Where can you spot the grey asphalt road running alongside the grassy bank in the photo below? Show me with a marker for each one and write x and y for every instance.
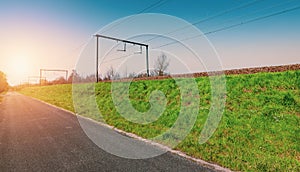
(37, 137)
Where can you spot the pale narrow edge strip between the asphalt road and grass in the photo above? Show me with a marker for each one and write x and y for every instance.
(134, 136)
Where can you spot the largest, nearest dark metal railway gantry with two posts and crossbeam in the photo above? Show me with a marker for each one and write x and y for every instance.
(124, 41)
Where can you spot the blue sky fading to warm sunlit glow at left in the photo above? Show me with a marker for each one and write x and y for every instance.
(40, 34)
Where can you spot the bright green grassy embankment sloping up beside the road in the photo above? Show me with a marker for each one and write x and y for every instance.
(259, 130)
